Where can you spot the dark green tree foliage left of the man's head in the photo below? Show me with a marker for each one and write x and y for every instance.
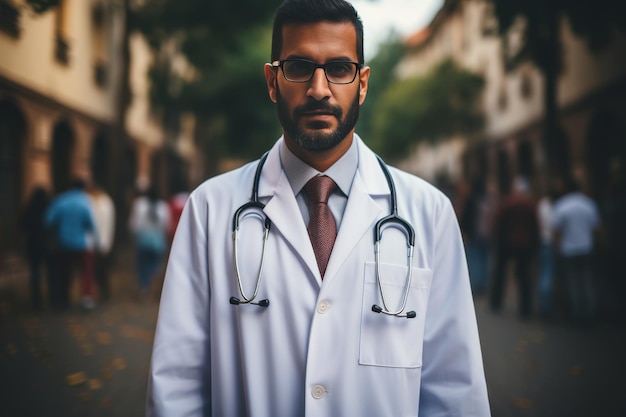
(226, 44)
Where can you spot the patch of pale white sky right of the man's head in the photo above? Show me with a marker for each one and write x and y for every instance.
(381, 16)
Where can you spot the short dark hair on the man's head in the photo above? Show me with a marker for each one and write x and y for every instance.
(314, 11)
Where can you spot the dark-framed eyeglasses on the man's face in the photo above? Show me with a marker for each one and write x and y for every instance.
(302, 70)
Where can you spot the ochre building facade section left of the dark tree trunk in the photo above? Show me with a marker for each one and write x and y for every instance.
(59, 85)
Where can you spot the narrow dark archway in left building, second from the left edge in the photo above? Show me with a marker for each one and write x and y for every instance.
(62, 150)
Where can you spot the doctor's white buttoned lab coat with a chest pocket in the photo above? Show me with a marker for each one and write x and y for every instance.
(318, 349)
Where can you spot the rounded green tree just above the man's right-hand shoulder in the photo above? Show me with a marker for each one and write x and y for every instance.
(438, 105)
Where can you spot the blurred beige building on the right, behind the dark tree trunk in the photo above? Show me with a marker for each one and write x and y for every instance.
(591, 101)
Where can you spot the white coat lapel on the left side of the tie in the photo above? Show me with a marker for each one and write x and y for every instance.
(282, 209)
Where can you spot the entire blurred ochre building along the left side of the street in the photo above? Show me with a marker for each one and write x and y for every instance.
(74, 102)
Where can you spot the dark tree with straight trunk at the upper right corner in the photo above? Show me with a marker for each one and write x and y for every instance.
(540, 23)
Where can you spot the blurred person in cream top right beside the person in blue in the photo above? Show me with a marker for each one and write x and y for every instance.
(104, 216)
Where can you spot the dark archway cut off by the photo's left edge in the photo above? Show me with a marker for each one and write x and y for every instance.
(12, 139)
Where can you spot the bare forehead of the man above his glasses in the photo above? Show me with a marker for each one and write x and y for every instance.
(319, 41)
